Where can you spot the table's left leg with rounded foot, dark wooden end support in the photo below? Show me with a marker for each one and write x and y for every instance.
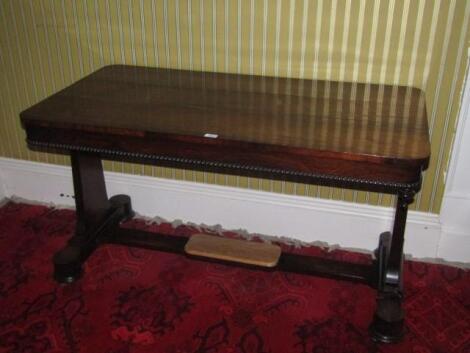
(96, 215)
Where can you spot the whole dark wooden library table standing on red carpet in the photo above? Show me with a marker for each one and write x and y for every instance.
(349, 135)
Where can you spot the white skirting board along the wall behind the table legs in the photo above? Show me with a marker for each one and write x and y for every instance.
(306, 219)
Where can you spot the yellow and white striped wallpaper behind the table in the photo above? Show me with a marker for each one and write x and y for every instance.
(47, 44)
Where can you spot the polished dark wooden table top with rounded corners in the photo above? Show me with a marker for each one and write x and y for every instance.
(344, 121)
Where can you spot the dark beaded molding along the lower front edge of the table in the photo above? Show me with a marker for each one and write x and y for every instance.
(389, 186)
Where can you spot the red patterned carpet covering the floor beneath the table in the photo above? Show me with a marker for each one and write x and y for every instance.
(141, 301)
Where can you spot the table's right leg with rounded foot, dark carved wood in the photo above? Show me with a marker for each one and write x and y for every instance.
(388, 322)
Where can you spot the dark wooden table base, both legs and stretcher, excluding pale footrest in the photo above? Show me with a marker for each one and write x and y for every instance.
(98, 218)
